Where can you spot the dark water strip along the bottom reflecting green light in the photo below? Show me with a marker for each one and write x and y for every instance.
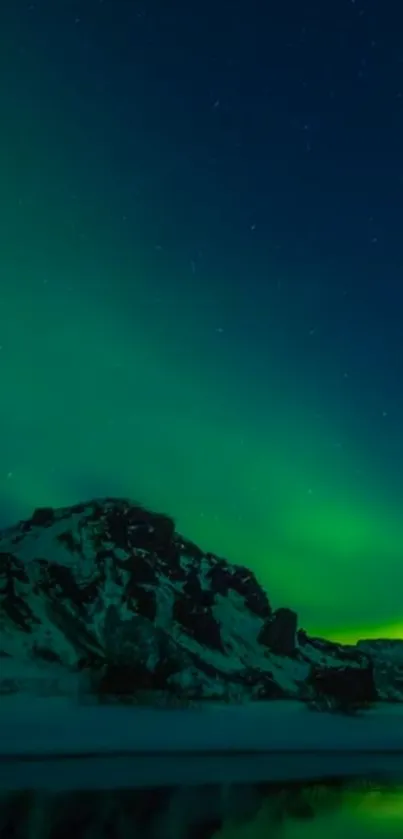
(335, 810)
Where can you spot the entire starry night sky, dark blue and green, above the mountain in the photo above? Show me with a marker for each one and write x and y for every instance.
(201, 281)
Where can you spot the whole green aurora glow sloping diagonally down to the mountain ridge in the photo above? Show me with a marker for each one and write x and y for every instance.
(124, 371)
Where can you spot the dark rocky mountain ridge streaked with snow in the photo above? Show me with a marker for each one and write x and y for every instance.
(111, 589)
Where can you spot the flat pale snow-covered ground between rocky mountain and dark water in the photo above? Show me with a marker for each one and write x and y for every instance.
(53, 744)
